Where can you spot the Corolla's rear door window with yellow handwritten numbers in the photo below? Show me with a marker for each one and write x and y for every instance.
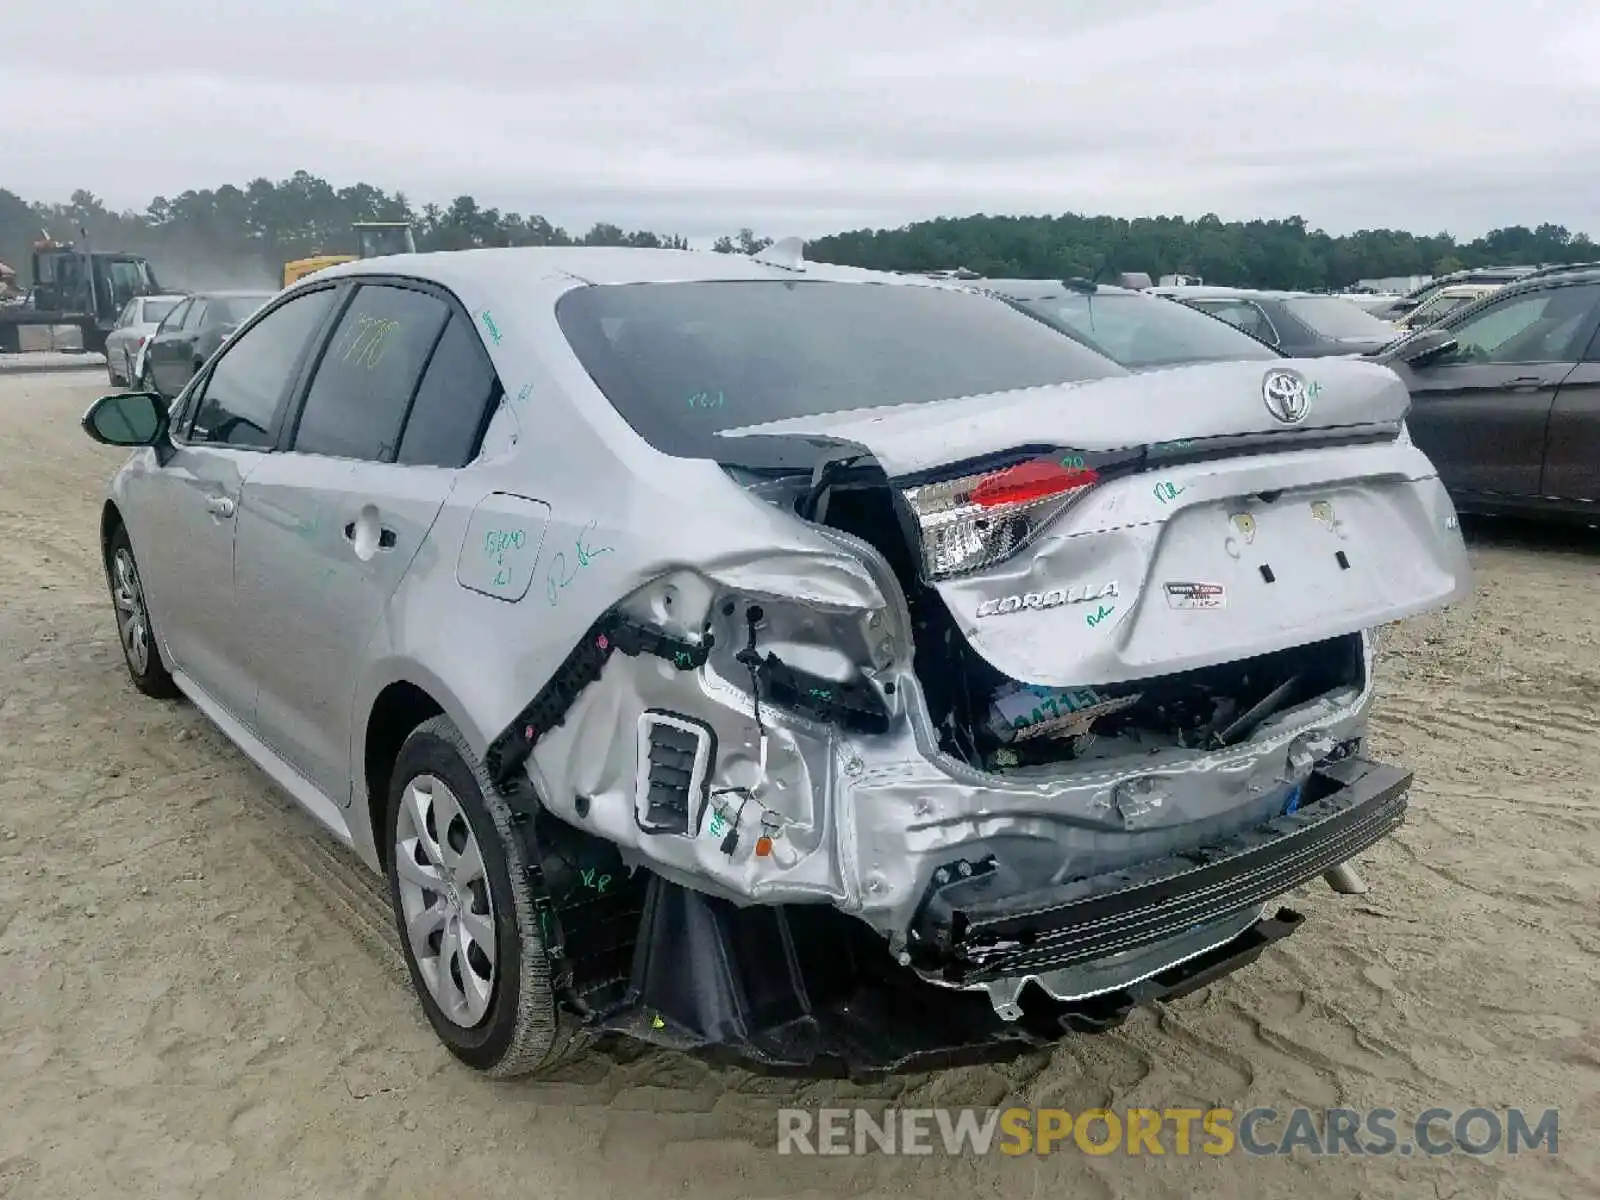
(364, 385)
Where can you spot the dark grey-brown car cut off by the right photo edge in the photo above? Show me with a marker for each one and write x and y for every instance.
(1506, 396)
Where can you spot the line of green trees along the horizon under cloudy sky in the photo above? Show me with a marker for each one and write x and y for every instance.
(238, 234)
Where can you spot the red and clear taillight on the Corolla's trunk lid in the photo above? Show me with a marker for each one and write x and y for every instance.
(983, 519)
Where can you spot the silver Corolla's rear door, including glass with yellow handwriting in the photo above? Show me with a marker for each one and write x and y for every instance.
(329, 529)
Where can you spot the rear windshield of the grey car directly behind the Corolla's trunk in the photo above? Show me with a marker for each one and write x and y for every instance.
(1148, 332)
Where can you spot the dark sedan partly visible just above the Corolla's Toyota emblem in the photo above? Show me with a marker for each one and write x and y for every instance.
(1298, 324)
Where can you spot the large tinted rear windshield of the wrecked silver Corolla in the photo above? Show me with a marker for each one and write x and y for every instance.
(686, 361)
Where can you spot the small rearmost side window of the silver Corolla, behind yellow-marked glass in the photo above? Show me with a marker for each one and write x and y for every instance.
(452, 404)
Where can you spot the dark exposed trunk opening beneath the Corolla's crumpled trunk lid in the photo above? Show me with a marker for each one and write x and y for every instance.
(1212, 708)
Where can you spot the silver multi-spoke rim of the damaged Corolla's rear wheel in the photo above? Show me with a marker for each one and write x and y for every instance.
(446, 900)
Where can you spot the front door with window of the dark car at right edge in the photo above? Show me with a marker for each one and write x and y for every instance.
(1482, 412)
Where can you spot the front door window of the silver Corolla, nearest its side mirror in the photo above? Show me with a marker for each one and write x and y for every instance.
(242, 394)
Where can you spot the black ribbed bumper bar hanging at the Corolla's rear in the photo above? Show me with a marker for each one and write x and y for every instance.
(967, 937)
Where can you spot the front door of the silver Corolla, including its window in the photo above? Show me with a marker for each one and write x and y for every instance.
(226, 430)
